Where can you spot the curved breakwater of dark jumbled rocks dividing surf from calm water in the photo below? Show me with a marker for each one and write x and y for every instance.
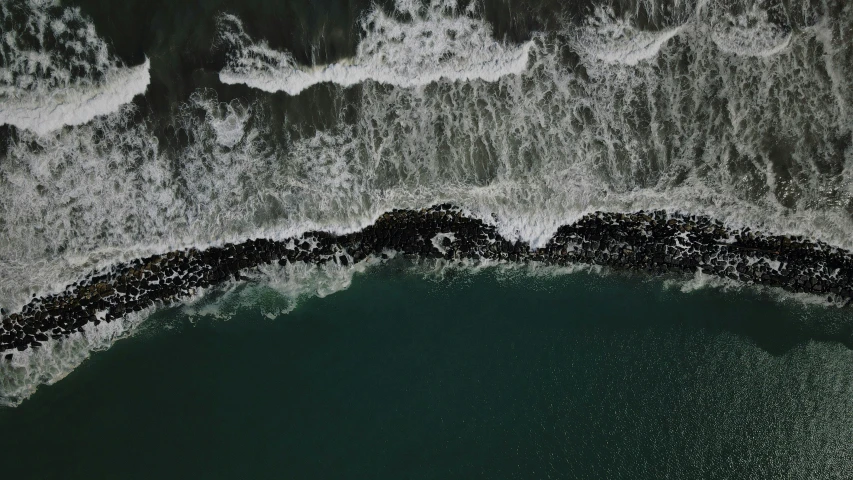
(655, 242)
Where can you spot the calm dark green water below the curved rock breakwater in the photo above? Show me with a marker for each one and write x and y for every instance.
(479, 376)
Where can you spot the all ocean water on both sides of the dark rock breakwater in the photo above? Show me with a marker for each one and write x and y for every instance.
(139, 127)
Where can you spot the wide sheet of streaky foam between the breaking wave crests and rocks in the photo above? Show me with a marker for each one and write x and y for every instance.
(528, 152)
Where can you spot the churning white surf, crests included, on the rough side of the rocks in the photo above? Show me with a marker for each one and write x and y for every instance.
(732, 108)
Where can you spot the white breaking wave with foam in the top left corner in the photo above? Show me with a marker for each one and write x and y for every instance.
(55, 70)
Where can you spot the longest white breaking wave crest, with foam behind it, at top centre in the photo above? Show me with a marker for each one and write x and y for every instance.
(440, 44)
